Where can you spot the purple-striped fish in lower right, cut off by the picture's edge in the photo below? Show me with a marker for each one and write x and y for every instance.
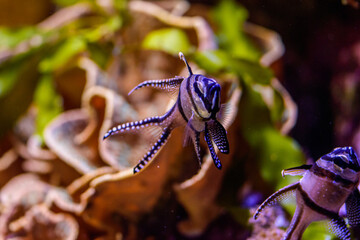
(325, 186)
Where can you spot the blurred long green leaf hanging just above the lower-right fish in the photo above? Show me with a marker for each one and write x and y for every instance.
(273, 151)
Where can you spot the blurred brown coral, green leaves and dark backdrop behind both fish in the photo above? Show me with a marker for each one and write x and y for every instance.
(289, 71)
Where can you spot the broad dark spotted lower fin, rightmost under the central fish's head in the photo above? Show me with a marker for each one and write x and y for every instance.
(218, 134)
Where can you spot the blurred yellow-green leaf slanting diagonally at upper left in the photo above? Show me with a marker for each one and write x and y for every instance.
(63, 54)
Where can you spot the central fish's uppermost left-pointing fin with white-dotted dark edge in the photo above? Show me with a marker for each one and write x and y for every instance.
(170, 84)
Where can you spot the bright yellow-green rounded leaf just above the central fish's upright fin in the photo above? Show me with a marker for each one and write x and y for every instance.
(170, 40)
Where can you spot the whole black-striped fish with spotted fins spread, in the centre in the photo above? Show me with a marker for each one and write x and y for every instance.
(197, 107)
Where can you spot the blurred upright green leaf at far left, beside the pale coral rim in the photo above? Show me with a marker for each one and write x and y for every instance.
(48, 103)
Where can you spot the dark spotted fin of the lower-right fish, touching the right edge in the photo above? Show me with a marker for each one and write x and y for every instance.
(353, 210)
